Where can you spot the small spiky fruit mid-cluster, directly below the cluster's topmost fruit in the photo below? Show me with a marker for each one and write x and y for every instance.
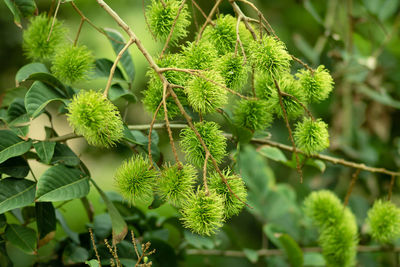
(234, 71)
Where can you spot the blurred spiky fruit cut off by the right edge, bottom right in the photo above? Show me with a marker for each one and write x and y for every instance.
(384, 221)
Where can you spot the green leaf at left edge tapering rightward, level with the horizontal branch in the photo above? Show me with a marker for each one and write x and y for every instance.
(11, 145)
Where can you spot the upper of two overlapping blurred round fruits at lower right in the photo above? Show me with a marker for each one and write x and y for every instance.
(324, 208)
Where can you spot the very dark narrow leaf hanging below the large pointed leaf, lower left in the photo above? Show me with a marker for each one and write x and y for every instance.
(45, 218)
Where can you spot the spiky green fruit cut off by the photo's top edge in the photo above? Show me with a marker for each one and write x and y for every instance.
(161, 19)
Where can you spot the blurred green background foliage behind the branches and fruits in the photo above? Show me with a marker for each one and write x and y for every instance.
(357, 40)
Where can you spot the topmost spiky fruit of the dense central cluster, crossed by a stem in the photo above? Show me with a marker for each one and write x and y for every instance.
(223, 35)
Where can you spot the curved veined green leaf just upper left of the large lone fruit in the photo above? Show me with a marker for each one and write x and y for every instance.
(39, 96)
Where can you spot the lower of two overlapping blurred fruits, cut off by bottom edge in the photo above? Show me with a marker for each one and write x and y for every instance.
(339, 243)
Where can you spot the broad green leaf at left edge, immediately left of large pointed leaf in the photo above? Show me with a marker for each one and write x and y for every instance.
(16, 193)
